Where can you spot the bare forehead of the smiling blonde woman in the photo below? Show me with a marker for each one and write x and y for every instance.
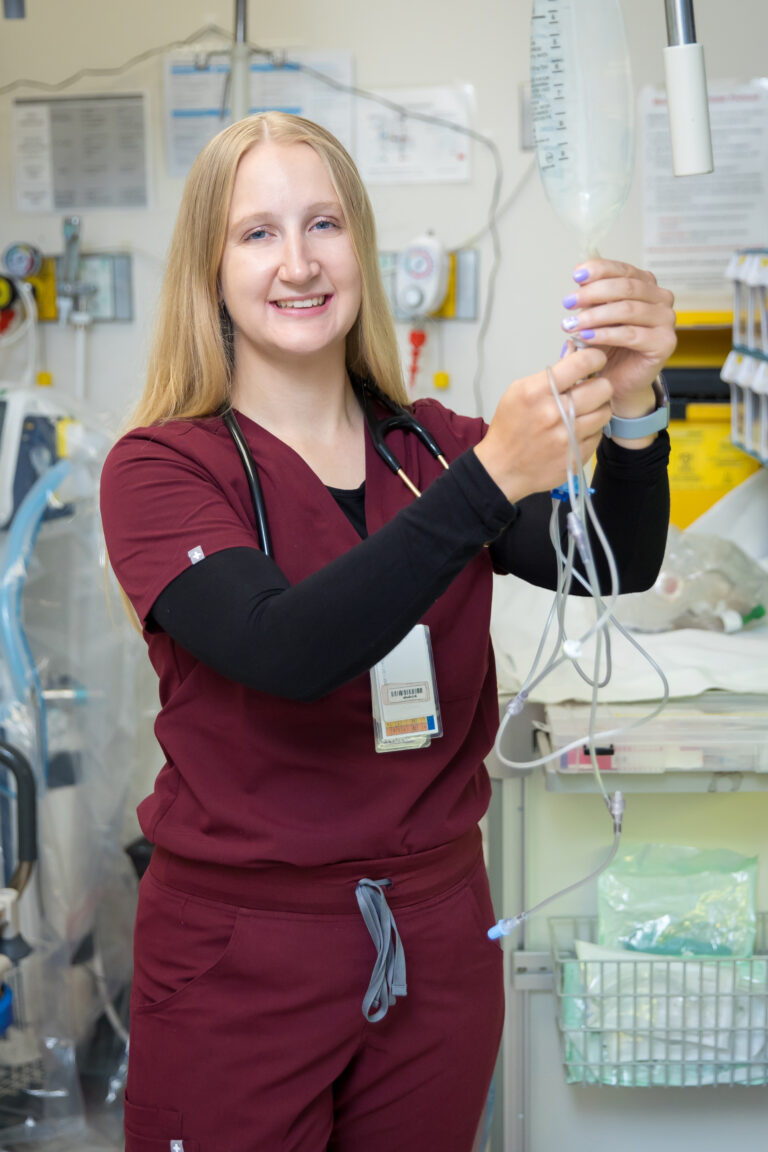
(283, 172)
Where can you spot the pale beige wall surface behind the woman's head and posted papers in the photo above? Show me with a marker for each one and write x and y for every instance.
(394, 43)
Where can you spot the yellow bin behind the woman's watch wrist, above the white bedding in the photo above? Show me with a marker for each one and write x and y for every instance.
(705, 465)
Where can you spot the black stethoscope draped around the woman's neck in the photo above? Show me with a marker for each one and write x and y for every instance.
(378, 429)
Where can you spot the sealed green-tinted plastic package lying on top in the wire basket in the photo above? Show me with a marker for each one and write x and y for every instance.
(679, 901)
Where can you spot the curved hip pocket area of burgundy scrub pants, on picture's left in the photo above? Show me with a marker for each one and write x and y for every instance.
(179, 941)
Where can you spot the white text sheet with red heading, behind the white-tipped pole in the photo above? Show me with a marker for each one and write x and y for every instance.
(694, 224)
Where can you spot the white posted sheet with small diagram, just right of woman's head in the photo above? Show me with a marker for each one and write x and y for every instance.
(397, 143)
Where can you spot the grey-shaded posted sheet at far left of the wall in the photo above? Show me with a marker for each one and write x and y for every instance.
(73, 154)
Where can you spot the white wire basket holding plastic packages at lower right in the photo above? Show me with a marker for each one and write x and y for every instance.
(667, 1022)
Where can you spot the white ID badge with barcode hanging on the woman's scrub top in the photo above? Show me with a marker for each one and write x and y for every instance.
(405, 695)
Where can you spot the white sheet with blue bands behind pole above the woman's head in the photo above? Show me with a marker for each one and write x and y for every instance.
(313, 85)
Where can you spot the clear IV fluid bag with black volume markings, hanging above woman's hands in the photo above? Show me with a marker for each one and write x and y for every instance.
(583, 111)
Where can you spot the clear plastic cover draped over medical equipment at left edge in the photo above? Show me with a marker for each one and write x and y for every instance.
(69, 672)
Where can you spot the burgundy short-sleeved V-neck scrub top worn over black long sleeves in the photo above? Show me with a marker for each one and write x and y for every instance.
(252, 778)
